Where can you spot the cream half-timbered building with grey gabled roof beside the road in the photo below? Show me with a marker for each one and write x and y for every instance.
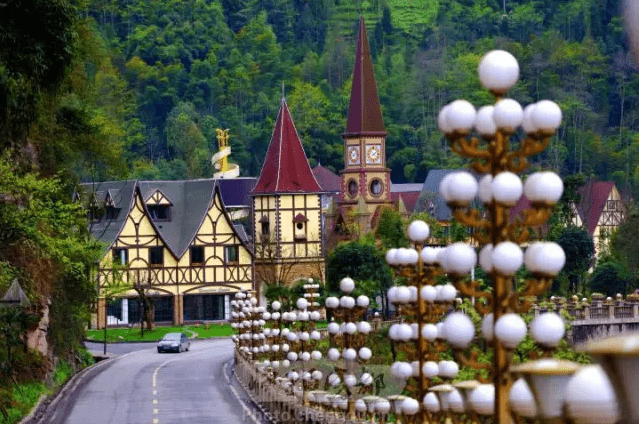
(173, 239)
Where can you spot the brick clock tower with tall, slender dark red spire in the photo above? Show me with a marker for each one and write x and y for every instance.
(365, 178)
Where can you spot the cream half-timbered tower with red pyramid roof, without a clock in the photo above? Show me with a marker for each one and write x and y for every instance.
(287, 211)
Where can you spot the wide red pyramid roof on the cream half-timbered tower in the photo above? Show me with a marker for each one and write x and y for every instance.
(286, 168)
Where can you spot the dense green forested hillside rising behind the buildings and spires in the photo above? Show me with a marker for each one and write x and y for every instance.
(177, 70)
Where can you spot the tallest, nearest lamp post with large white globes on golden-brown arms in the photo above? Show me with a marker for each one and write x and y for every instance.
(492, 155)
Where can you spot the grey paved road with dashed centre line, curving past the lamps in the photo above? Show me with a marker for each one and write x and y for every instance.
(143, 386)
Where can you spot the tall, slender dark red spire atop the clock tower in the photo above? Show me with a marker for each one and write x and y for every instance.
(364, 112)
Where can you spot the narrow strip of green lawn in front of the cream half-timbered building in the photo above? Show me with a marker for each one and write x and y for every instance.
(134, 334)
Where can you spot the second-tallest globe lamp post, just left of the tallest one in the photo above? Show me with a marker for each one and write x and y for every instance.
(421, 335)
